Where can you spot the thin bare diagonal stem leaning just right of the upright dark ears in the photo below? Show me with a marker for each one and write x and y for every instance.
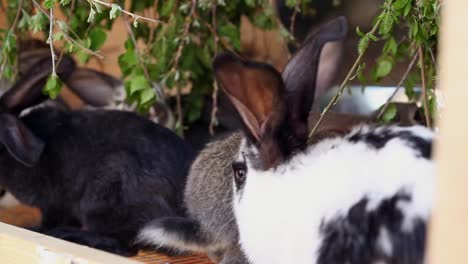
(335, 98)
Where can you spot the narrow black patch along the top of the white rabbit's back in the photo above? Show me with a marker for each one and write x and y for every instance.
(379, 138)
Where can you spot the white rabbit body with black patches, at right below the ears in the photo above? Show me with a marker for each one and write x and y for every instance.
(361, 198)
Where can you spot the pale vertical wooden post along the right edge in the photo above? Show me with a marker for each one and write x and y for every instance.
(449, 229)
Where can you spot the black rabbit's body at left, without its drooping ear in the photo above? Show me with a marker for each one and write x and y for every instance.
(101, 176)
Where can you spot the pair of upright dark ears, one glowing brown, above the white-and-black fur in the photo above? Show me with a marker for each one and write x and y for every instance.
(274, 106)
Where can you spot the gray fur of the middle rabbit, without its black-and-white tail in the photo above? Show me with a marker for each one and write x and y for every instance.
(208, 196)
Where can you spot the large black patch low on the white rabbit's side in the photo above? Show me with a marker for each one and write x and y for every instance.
(354, 237)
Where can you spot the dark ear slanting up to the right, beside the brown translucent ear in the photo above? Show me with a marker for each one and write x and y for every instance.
(301, 74)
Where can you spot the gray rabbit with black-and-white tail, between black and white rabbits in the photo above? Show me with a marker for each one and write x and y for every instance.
(210, 225)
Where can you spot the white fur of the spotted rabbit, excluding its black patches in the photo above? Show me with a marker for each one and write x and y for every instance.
(280, 211)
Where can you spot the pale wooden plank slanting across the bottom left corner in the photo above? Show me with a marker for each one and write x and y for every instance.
(20, 246)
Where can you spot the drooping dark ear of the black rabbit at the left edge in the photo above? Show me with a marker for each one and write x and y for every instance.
(20, 142)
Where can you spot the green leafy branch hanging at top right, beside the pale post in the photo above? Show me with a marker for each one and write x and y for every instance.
(421, 21)
